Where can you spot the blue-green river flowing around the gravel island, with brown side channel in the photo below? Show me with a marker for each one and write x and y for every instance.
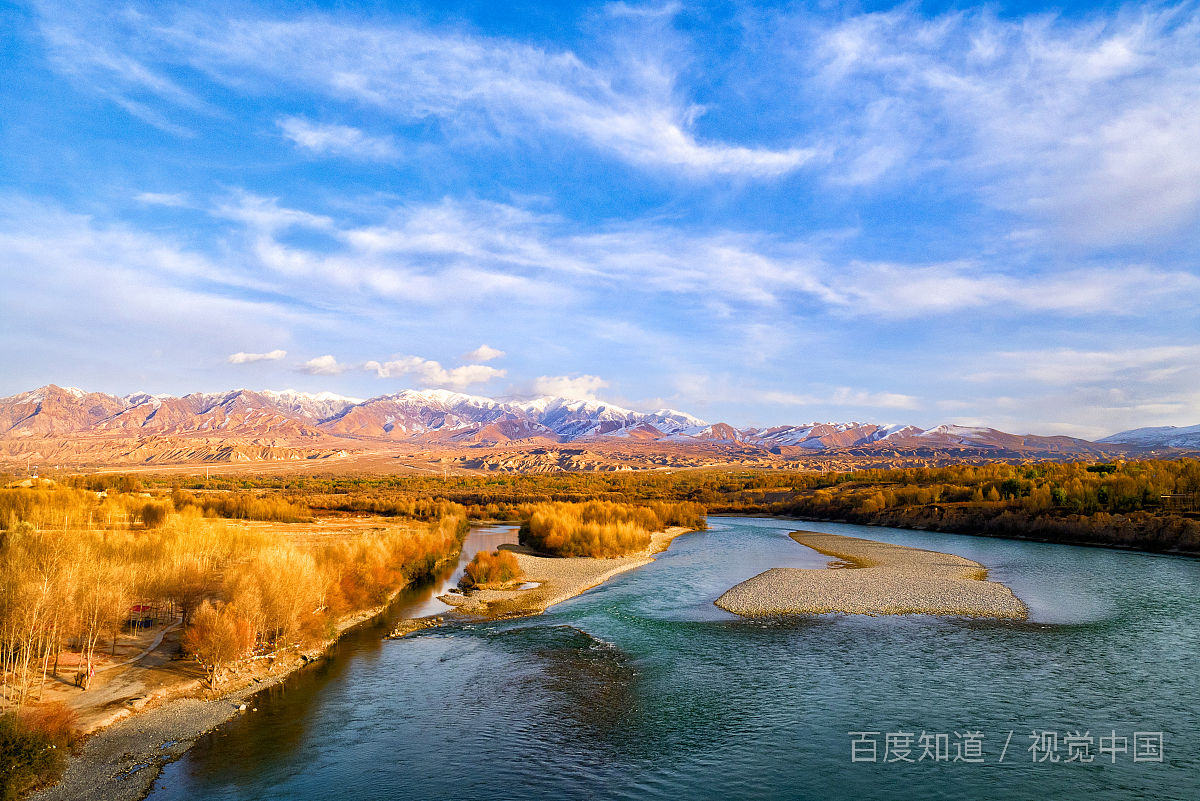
(643, 689)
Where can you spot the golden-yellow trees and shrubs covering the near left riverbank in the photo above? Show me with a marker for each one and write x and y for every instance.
(79, 570)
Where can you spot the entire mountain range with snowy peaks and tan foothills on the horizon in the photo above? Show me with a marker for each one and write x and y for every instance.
(73, 426)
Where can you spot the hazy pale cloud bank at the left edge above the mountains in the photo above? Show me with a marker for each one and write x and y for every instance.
(148, 299)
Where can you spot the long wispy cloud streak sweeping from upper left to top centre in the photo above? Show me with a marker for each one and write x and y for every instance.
(631, 111)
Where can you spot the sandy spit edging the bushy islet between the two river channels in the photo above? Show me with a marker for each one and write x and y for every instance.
(559, 580)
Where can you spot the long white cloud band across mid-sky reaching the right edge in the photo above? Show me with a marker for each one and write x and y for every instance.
(455, 250)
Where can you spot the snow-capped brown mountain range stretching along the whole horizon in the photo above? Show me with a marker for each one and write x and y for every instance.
(329, 421)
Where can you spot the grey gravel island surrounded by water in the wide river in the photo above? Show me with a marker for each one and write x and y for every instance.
(877, 580)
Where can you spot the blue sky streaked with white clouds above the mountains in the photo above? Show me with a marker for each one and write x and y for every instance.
(759, 214)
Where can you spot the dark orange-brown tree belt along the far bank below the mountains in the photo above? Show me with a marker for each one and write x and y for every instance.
(1153, 505)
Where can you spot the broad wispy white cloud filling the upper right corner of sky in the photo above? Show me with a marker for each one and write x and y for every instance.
(1090, 128)
